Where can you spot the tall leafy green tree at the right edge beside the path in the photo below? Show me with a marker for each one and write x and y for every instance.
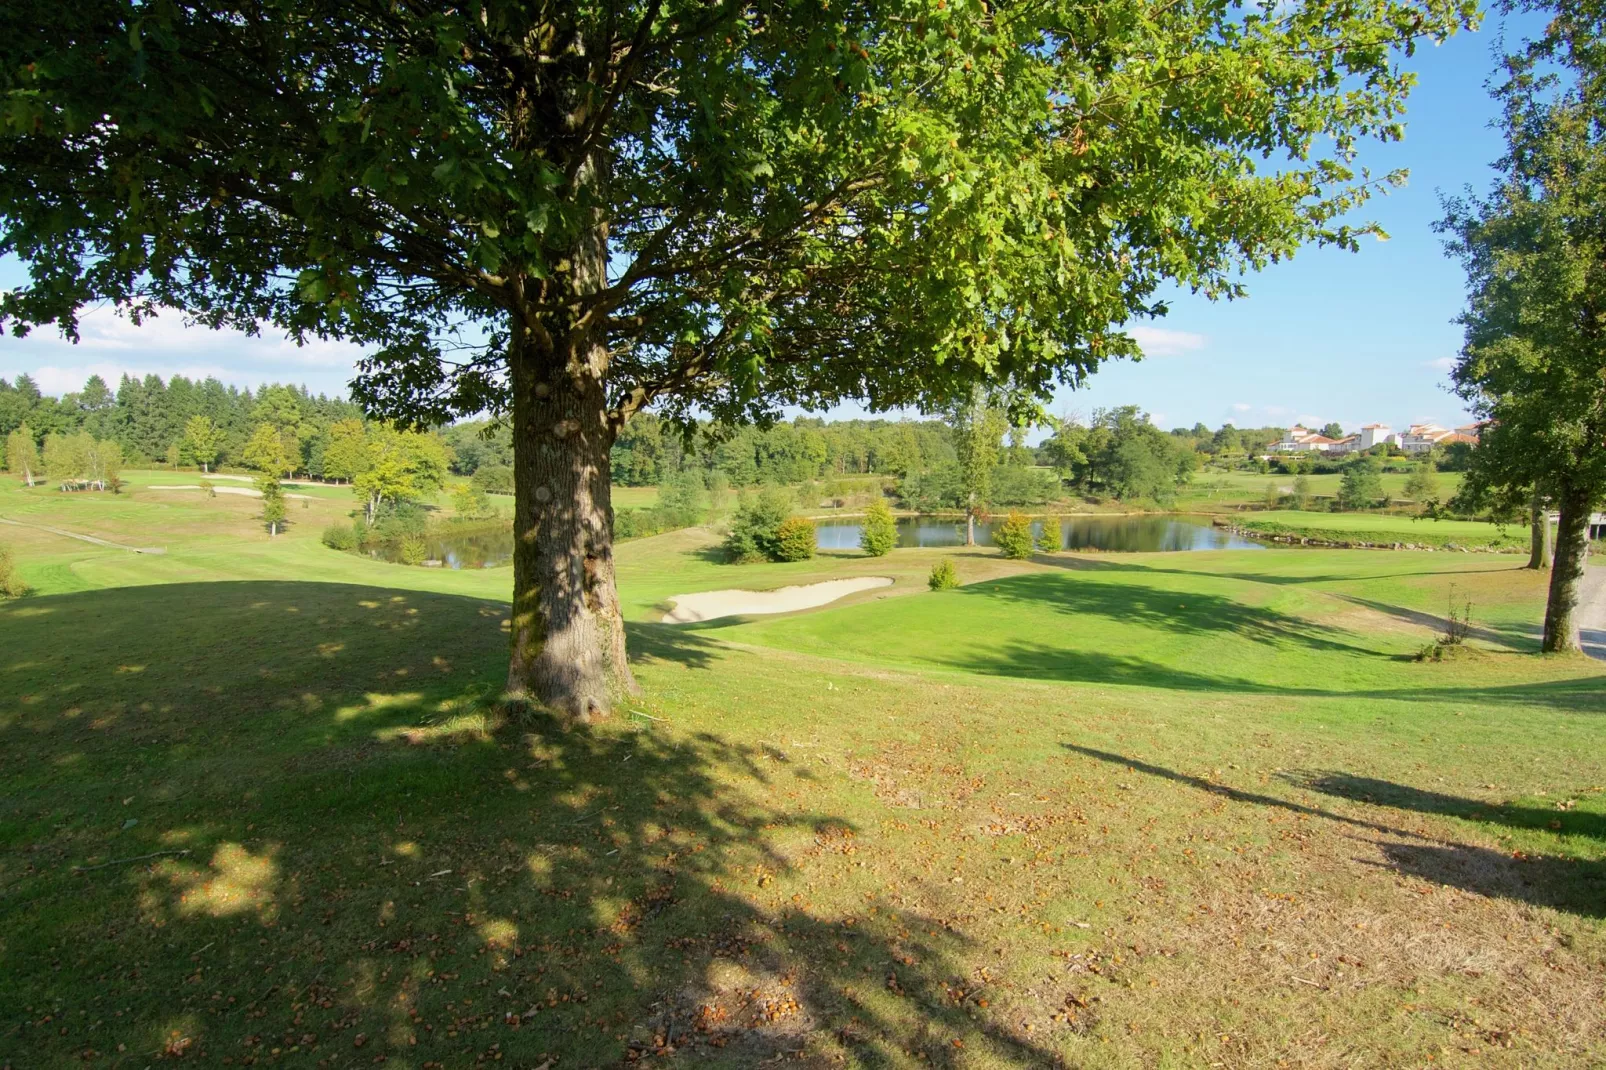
(1535, 357)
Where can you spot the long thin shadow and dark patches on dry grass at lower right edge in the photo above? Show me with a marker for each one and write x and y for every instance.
(1570, 884)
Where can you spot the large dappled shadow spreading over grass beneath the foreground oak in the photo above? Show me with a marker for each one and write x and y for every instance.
(309, 830)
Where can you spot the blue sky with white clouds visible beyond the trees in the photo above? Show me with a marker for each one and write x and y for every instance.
(1356, 338)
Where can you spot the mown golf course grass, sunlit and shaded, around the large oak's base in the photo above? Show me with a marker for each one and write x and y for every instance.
(1149, 811)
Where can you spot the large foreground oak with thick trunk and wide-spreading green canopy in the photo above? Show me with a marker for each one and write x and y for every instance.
(573, 210)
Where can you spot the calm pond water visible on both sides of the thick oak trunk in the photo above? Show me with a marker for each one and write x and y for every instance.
(1125, 534)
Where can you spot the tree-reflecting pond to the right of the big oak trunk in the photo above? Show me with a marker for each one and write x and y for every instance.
(1125, 534)
